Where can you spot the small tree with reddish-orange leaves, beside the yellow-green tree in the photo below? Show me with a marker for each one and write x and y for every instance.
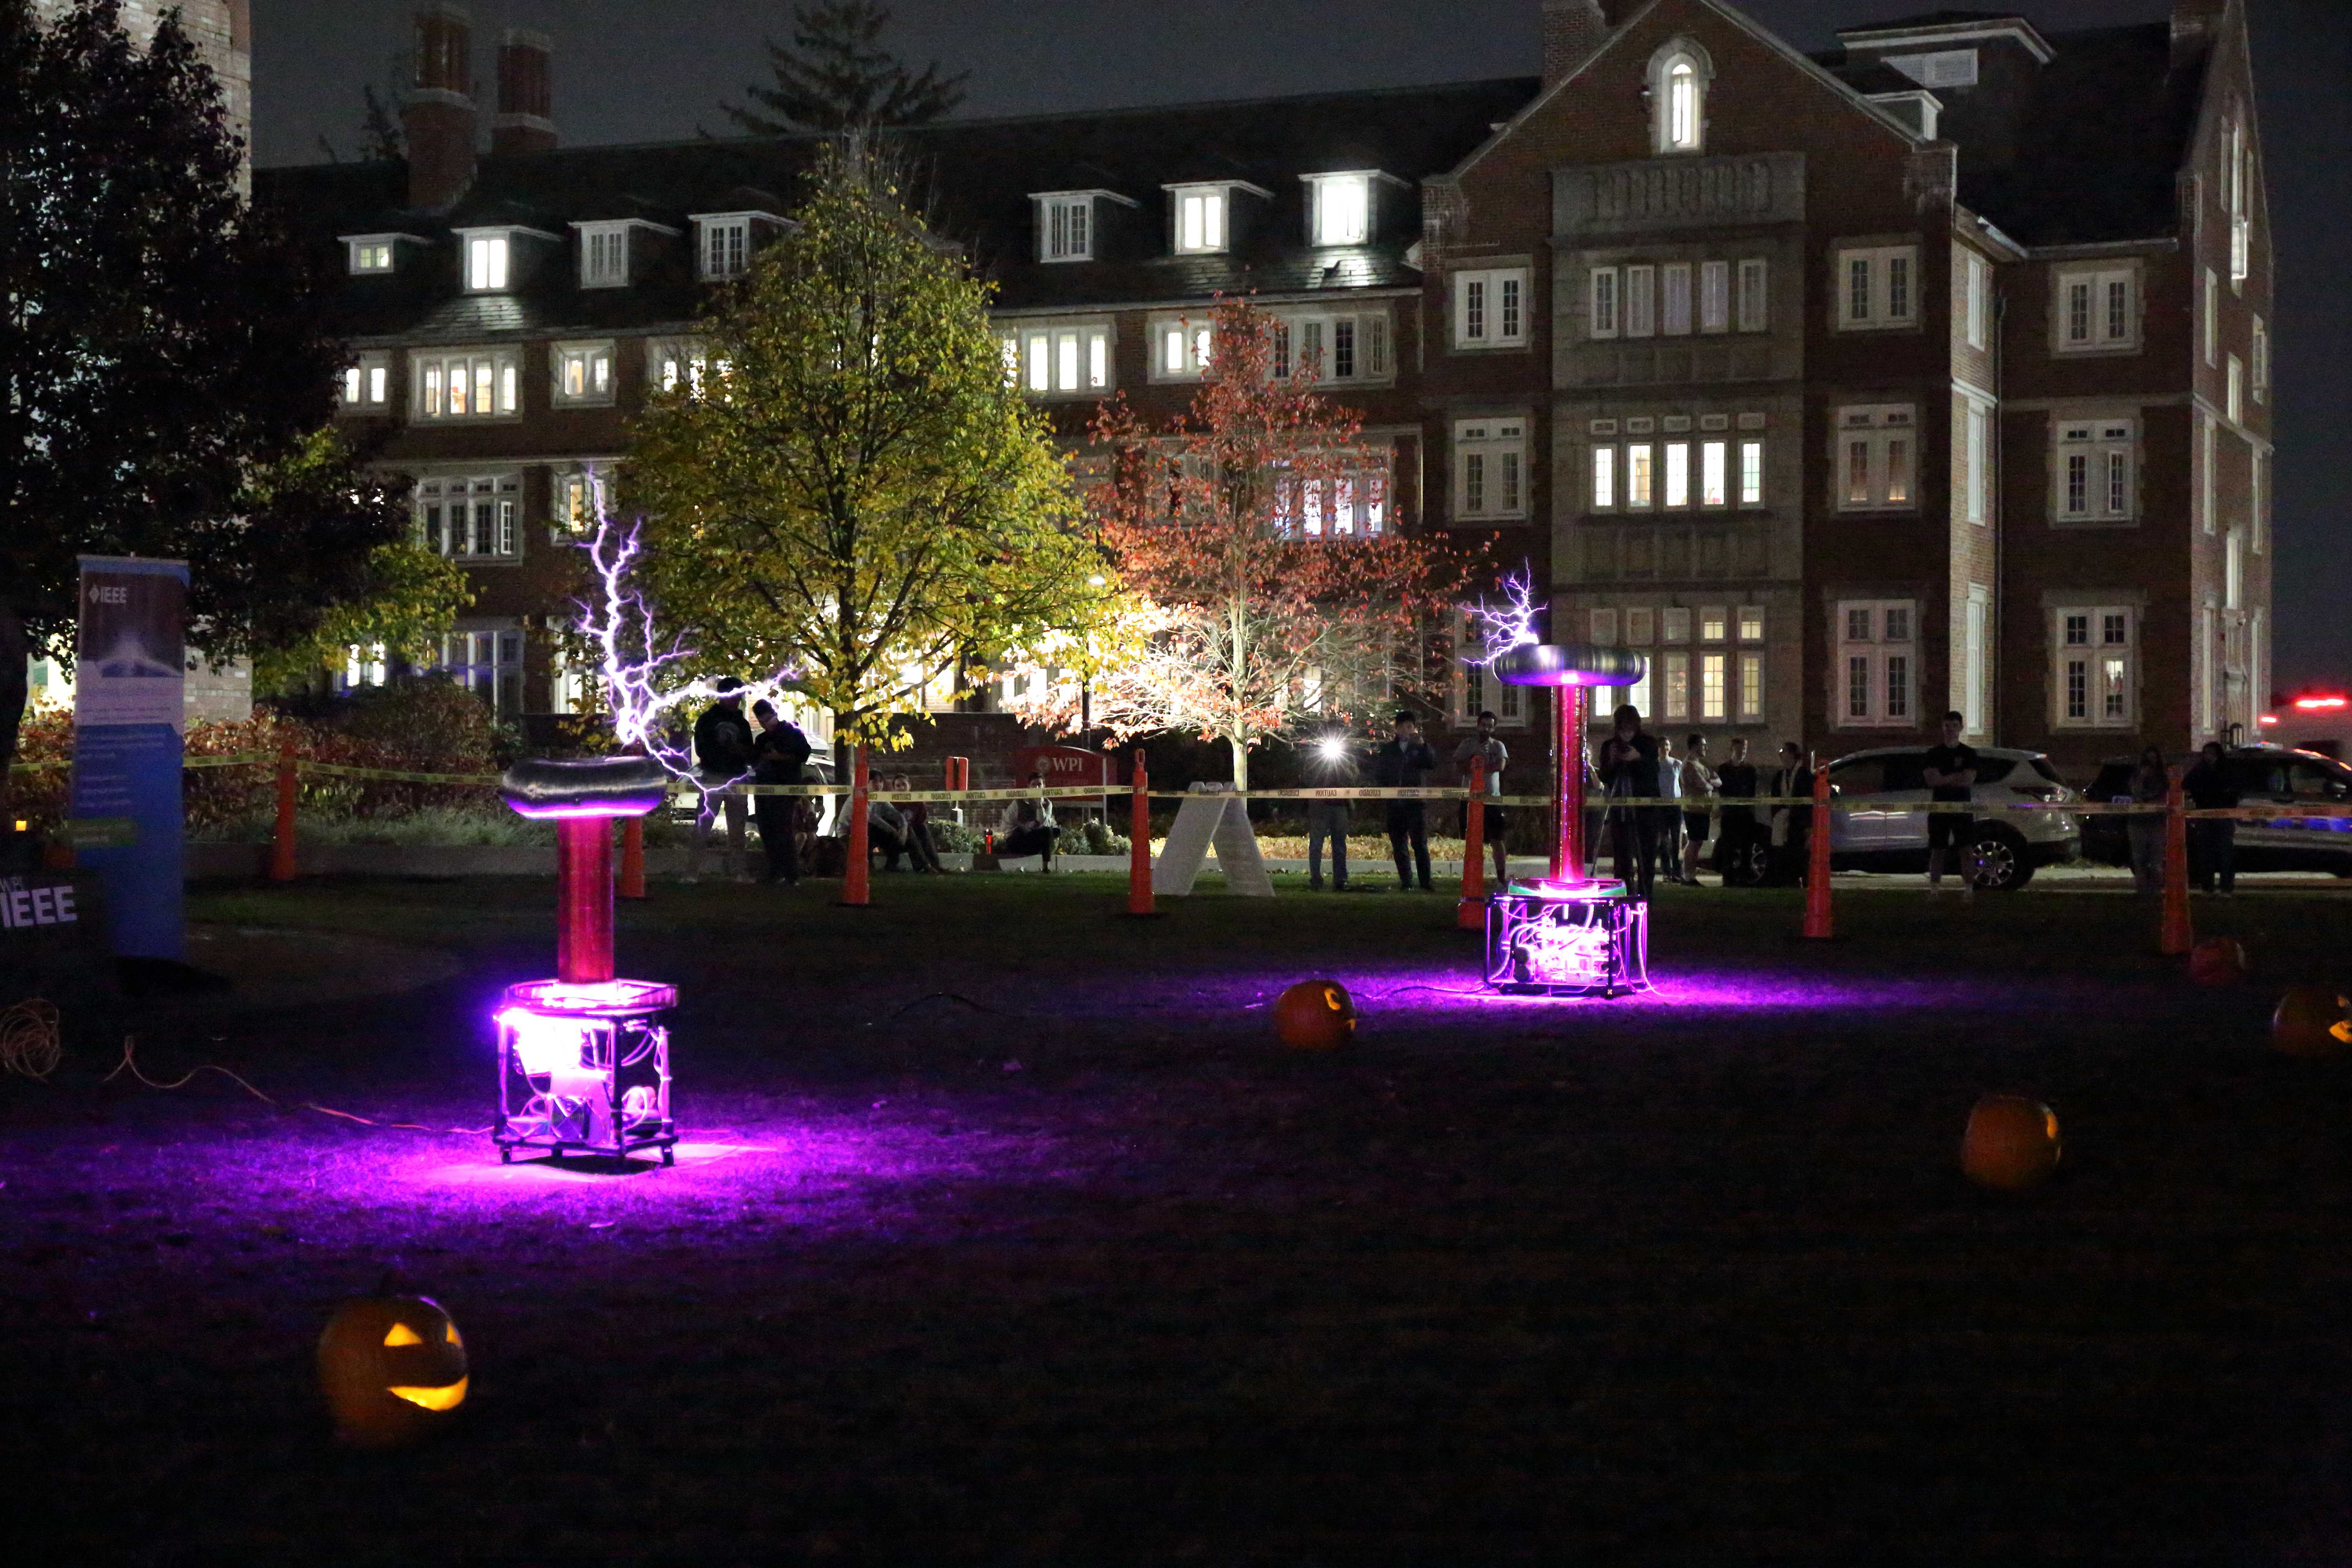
(1267, 582)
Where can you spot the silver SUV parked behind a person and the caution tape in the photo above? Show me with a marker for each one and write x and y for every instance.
(2007, 847)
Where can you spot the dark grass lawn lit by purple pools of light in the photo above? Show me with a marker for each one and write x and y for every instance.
(1076, 1266)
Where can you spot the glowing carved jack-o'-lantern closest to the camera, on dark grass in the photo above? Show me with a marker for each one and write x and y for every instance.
(394, 1369)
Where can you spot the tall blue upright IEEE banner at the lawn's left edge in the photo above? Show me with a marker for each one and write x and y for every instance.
(128, 699)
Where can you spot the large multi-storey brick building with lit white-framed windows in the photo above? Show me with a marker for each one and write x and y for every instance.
(1927, 373)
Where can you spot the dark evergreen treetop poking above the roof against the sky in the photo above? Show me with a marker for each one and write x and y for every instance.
(838, 76)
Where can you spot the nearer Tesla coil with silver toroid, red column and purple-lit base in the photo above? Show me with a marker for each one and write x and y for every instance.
(584, 1059)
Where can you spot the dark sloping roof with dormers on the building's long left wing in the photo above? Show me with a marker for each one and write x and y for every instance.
(975, 180)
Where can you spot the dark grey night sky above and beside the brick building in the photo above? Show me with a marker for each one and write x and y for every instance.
(657, 69)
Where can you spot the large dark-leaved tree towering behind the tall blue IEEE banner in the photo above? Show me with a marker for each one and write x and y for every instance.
(161, 349)
